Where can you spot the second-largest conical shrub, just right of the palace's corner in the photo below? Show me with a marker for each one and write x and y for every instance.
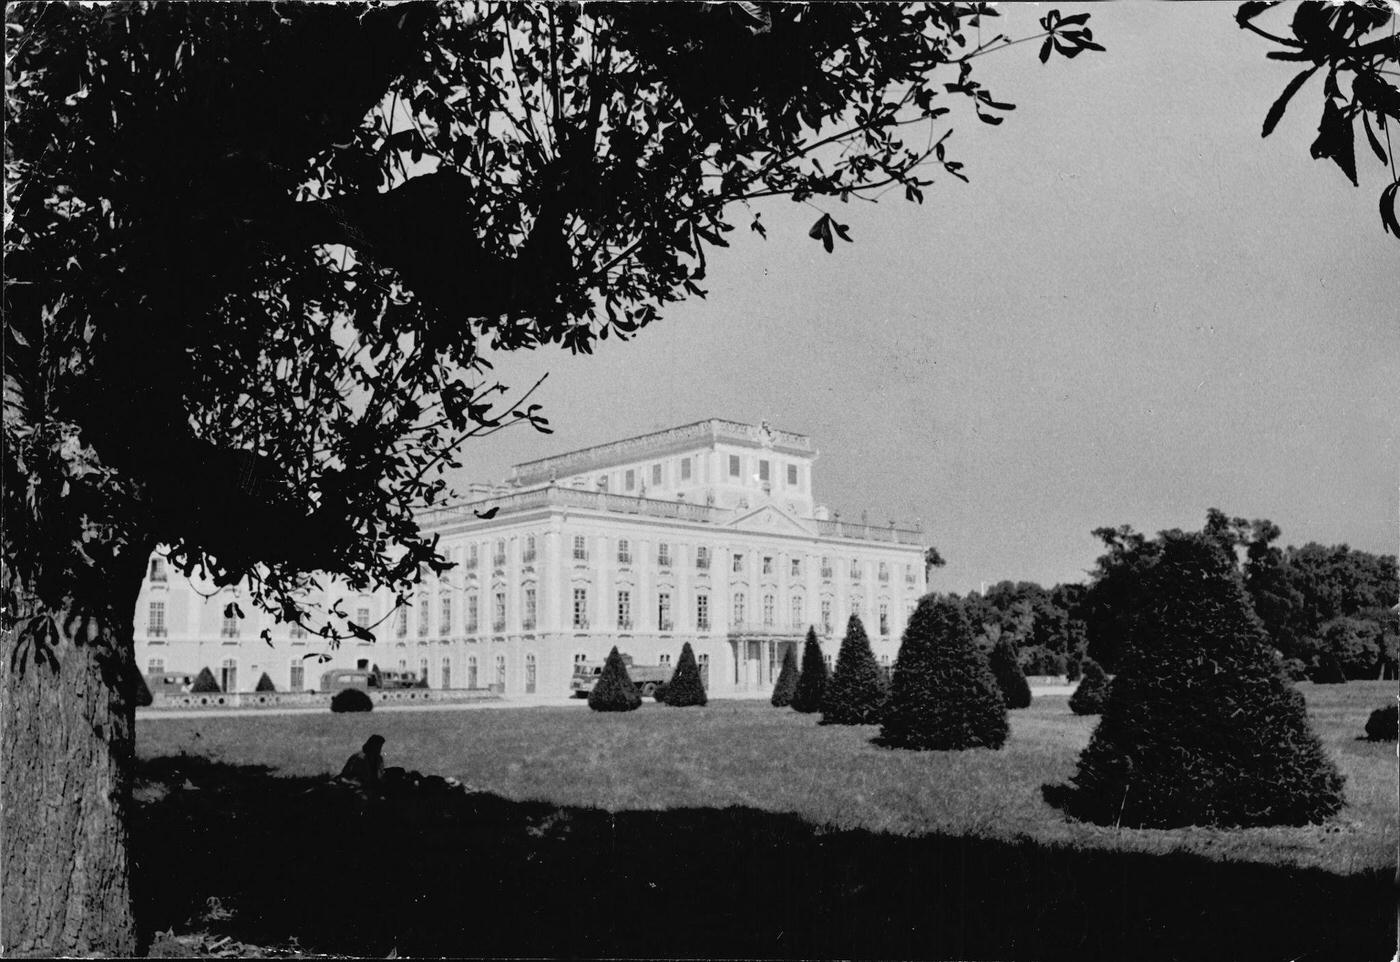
(943, 695)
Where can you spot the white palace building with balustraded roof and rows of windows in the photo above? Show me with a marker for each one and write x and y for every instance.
(706, 534)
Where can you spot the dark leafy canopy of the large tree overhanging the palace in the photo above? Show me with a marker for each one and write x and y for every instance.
(257, 256)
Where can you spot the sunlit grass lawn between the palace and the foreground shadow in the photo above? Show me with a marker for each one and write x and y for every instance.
(747, 754)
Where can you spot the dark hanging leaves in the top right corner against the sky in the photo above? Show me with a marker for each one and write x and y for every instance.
(1352, 43)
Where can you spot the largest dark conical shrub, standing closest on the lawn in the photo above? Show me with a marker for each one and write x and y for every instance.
(1202, 726)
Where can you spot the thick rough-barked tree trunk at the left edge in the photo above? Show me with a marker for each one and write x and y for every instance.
(68, 746)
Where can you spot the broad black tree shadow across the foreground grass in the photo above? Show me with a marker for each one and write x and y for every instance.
(449, 873)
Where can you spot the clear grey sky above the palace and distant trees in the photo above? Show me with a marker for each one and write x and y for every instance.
(1136, 312)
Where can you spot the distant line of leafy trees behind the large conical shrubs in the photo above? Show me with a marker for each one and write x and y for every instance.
(1329, 610)
